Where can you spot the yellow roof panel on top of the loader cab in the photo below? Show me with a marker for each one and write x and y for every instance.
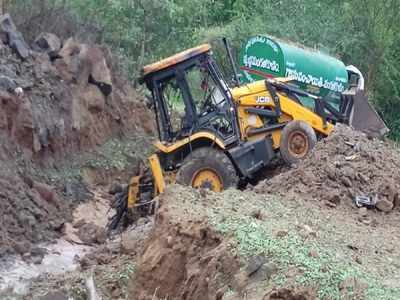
(175, 59)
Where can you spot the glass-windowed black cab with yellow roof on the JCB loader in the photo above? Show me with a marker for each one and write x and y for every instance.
(190, 95)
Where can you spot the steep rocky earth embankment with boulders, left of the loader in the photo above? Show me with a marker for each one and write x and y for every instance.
(57, 100)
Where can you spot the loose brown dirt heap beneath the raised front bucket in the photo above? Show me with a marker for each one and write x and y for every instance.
(343, 167)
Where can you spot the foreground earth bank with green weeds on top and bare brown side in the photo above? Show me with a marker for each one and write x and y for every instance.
(243, 245)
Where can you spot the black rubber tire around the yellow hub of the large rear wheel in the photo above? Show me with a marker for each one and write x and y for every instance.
(208, 158)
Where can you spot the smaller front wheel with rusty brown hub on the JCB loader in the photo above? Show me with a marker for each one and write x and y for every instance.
(297, 140)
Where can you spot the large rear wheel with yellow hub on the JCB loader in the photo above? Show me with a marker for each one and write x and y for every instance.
(207, 168)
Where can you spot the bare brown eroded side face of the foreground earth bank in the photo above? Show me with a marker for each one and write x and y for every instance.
(184, 258)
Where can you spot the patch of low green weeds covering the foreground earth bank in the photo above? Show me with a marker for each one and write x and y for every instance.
(325, 270)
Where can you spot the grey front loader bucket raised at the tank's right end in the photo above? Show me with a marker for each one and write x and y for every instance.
(365, 118)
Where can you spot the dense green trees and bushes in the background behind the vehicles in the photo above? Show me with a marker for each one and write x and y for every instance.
(360, 32)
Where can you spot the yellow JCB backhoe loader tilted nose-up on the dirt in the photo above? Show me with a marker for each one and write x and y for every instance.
(213, 136)
